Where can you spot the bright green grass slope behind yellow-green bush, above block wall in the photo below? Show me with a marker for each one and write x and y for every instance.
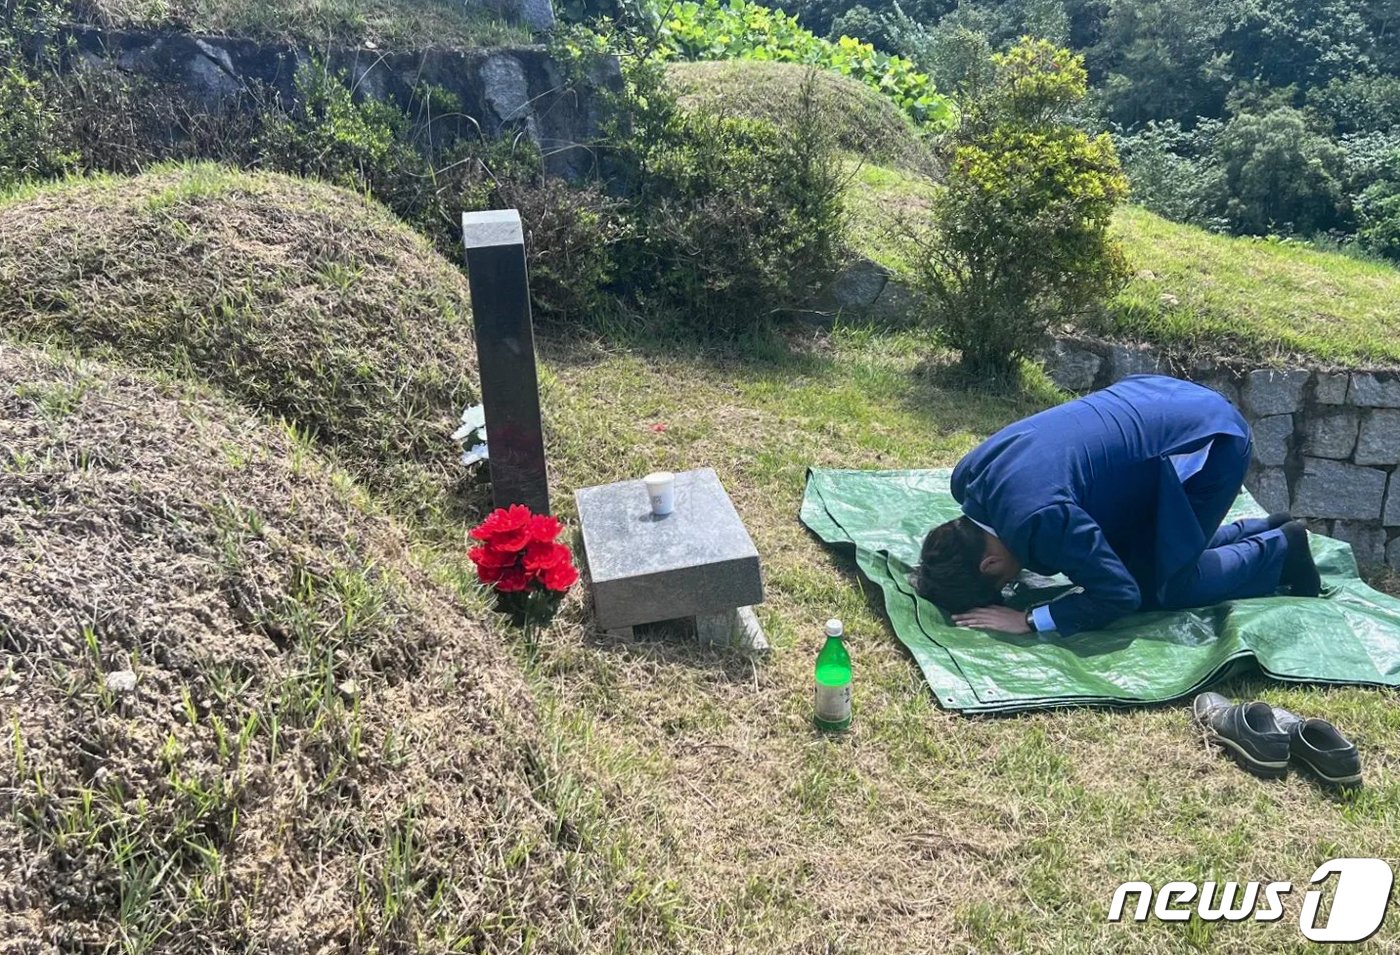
(1195, 292)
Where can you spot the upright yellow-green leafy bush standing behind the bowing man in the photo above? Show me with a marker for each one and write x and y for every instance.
(1020, 239)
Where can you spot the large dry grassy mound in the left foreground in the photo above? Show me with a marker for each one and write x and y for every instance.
(321, 751)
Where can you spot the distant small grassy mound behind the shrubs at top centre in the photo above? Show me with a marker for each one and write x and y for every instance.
(864, 123)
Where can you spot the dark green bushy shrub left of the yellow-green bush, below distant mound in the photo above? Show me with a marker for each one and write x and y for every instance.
(734, 221)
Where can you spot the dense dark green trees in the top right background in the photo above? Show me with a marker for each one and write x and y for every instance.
(1245, 116)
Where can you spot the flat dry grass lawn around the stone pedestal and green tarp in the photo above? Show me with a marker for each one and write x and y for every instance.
(922, 831)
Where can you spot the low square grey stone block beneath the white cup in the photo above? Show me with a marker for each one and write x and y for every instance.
(645, 569)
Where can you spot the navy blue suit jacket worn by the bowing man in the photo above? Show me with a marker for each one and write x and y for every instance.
(1087, 489)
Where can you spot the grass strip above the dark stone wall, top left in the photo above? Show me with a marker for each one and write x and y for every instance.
(384, 23)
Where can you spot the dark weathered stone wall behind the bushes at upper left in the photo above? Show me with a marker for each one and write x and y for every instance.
(505, 92)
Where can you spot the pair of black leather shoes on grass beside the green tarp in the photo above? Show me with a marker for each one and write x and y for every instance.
(1265, 739)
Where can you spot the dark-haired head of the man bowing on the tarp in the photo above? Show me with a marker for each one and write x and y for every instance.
(962, 566)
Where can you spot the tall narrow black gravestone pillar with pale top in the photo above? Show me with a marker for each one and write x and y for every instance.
(506, 354)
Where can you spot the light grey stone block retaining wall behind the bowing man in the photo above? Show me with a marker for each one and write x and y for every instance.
(1326, 443)
